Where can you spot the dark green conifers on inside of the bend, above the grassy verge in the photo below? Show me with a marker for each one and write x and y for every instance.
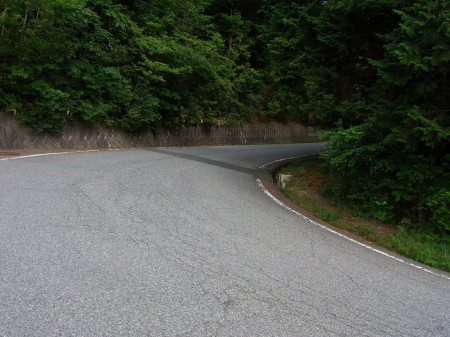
(395, 166)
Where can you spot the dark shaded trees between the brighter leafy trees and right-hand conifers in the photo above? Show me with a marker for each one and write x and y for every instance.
(318, 55)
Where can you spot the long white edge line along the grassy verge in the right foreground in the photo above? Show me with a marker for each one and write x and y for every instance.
(260, 184)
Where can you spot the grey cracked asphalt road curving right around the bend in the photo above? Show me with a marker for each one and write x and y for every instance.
(183, 242)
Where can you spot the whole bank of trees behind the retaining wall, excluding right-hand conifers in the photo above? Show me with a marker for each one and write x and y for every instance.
(141, 64)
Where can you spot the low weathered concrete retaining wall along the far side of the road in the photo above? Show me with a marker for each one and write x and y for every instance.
(14, 135)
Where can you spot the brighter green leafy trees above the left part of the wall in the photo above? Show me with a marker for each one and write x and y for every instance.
(130, 64)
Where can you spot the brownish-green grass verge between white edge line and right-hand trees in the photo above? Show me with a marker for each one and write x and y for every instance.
(304, 189)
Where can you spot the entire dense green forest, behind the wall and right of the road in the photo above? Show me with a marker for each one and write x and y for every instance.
(374, 73)
